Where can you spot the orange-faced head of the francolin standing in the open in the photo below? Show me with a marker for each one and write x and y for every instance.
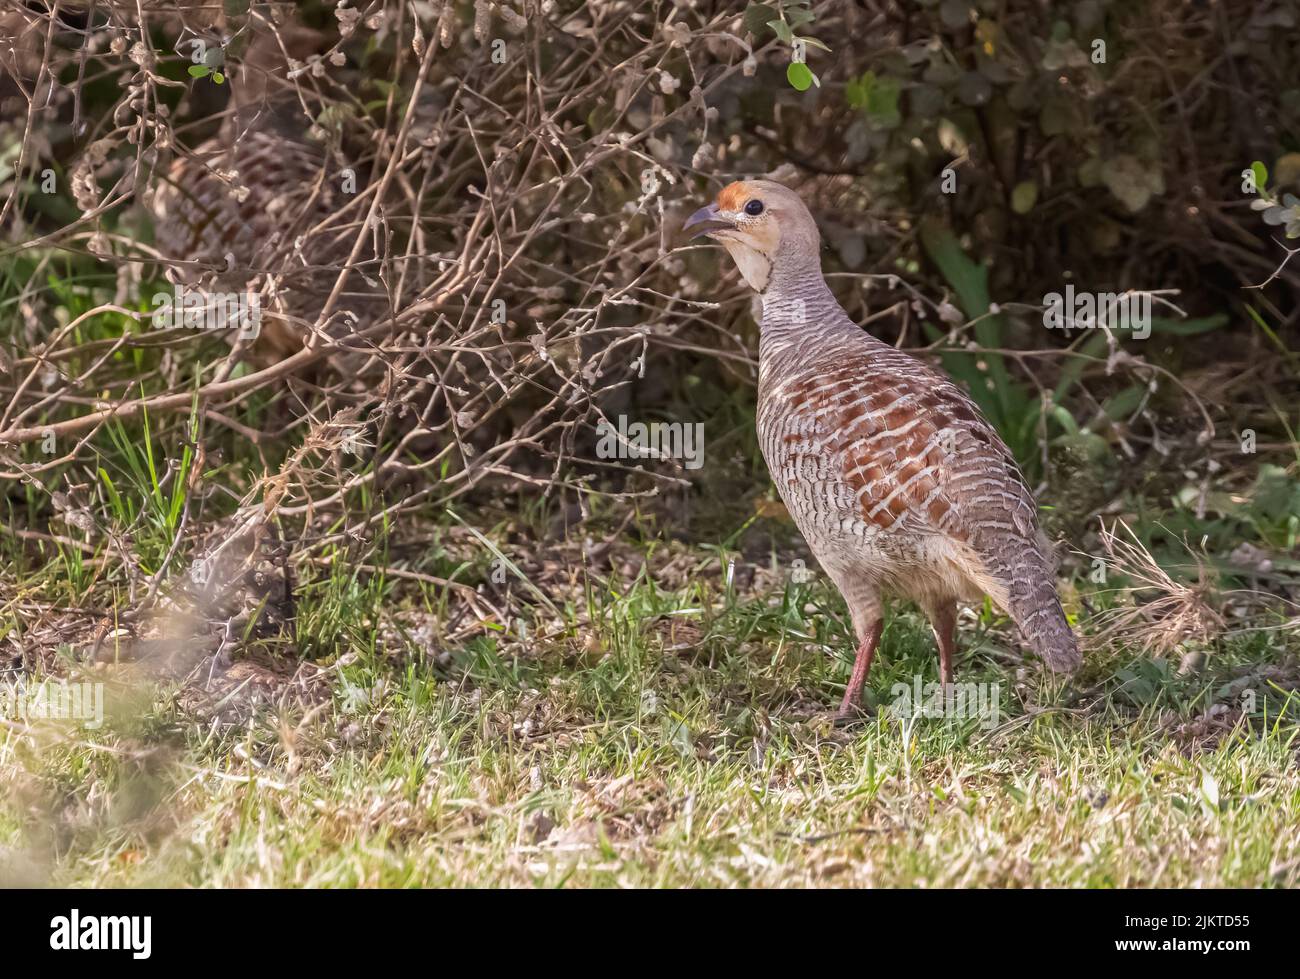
(762, 226)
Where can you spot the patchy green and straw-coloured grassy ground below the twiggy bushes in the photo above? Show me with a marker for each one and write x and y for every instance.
(612, 707)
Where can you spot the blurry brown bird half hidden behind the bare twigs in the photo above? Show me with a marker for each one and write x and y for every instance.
(259, 201)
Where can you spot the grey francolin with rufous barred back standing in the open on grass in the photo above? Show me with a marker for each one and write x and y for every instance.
(889, 469)
